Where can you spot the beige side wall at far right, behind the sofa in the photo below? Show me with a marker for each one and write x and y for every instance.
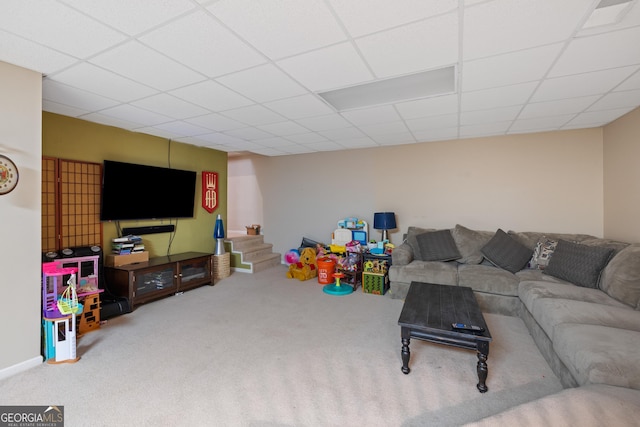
(622, 178)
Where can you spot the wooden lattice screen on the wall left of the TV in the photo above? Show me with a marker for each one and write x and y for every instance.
(76, 206)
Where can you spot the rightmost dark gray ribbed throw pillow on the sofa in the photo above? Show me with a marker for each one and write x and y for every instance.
(578, 264)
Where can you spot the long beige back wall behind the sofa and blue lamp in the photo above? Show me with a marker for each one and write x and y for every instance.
(544, 182)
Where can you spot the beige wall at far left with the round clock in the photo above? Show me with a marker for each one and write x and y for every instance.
(20, 140)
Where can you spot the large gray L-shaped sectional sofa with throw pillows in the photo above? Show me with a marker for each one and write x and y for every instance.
(578, 295)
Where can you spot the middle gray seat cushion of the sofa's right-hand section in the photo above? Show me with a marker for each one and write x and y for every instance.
(551, 312)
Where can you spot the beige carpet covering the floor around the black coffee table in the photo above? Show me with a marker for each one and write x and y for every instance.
(263, 350)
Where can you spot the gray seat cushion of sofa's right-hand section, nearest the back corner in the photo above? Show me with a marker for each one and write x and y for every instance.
(530, 291)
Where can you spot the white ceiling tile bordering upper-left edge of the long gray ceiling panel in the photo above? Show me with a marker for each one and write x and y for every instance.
(328, 68)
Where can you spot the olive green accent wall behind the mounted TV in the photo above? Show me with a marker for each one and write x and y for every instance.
(74, 139)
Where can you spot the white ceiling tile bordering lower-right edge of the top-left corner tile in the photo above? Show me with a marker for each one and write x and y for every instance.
(144, 65)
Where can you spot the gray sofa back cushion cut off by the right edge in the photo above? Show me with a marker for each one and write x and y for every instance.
(621, 277)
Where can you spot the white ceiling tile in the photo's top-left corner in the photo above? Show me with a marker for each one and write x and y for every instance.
(68, 32)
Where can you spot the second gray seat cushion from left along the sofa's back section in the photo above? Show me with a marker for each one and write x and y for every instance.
(489, 279)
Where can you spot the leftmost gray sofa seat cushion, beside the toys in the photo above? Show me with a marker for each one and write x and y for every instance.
(439, 272)
